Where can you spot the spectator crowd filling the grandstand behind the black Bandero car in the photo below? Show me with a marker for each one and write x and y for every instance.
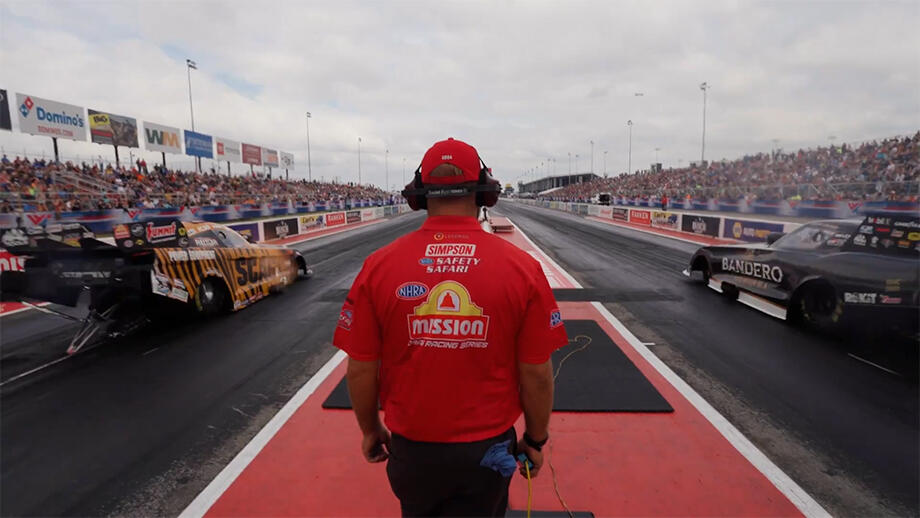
(886, 170)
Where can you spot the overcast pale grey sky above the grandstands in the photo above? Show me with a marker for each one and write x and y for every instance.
(523, 81)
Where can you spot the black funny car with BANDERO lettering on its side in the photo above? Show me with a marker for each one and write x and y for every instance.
(824, 272)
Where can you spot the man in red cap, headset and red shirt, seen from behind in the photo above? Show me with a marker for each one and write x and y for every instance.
(451, 329)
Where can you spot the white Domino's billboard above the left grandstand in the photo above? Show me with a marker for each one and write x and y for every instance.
(39, 116)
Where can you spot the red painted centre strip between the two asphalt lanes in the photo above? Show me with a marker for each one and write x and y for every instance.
(612, 464)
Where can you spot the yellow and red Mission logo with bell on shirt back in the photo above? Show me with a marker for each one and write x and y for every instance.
(448, 319)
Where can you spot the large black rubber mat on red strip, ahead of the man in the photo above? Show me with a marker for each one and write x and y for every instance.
(595, 378)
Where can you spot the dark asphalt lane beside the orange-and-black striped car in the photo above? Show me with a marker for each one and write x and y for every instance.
(140, 426)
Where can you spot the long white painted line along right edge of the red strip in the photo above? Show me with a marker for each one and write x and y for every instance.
(788, 487)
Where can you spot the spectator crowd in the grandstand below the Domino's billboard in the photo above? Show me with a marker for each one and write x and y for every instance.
(39, 185)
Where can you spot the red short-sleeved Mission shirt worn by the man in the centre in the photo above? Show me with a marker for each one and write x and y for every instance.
(449, 310)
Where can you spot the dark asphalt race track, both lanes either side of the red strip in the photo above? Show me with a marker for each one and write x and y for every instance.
(141, 426)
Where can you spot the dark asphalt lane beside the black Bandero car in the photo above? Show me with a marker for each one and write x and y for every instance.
(844, 430)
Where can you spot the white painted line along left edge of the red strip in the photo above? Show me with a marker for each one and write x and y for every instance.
(225, 478)
